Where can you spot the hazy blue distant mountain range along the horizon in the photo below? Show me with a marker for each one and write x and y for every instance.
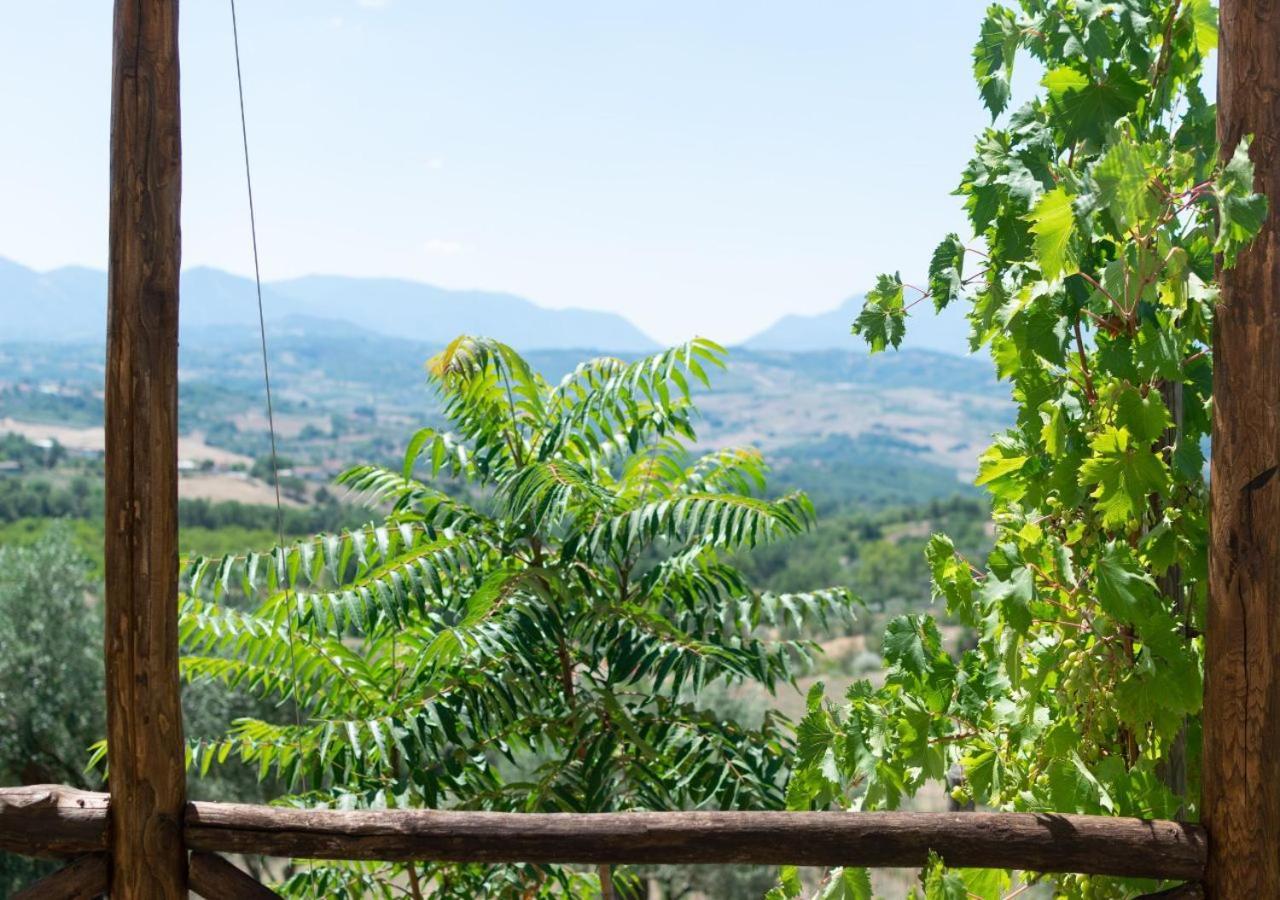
(68, 307)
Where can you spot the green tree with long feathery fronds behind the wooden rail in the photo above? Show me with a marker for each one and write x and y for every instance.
(545, 648)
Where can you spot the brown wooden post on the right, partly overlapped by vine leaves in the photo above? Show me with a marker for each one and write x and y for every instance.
(1242, 691)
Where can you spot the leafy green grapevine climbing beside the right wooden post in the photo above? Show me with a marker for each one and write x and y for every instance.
(1100, 211)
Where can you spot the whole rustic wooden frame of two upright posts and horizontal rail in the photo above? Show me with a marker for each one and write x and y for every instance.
(144, 840)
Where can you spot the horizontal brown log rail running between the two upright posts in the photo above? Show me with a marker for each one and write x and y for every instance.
(1030, 842)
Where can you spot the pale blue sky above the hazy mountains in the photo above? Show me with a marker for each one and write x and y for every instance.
(696, 166)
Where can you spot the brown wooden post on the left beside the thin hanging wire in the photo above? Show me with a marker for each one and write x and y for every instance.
(148, 779)
